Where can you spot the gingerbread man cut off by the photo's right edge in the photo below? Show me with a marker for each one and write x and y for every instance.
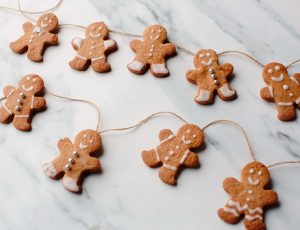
(282, 89)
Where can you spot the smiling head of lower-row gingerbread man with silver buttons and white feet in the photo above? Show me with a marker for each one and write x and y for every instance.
(88, 141)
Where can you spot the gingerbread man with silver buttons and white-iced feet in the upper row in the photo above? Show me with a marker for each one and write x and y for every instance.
(210, 77)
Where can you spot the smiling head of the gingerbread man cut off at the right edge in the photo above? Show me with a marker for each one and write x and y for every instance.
(274, 72)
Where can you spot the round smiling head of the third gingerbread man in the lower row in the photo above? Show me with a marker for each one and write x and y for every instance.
(191, 135)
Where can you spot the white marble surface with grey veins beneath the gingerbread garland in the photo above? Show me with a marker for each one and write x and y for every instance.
(127, 194)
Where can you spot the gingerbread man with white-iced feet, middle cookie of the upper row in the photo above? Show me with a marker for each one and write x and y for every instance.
(152, 51)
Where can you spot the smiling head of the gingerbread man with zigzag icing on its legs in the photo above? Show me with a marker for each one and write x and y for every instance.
(255, 174)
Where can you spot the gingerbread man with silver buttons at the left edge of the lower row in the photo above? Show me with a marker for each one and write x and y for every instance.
(22, 102)
